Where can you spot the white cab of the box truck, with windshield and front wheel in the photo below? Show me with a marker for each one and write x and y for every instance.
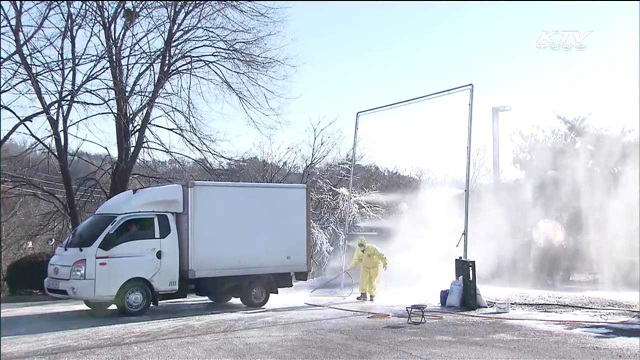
(127, 245)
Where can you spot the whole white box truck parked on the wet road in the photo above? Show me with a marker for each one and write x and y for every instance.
(221, 240)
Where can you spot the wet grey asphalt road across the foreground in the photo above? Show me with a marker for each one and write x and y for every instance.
(286, 328)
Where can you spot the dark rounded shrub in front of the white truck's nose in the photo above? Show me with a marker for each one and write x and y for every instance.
(27, 273)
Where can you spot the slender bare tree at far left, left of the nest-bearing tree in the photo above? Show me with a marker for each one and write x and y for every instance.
(48, 57)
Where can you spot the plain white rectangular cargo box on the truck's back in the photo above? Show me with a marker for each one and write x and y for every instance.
(232, 229)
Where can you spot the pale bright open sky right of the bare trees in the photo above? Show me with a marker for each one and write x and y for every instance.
(354, 56)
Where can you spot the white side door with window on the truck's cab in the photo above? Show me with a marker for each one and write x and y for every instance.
(126, 252)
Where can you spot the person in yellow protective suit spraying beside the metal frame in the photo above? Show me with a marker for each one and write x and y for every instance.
(371, 258)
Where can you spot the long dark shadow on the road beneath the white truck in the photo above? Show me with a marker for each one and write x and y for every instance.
(31, 324)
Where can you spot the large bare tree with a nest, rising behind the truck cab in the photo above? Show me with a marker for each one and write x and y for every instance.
(161, 55)
